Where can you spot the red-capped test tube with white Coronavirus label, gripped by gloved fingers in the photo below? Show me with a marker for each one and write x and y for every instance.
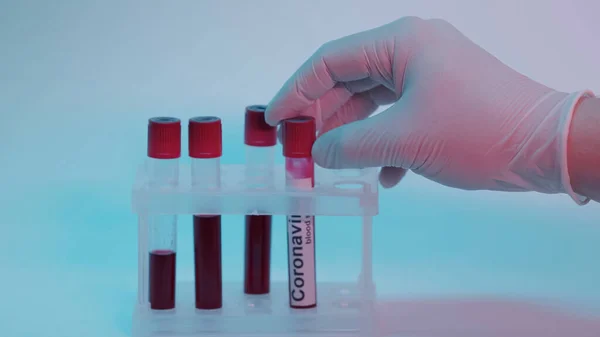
(298, 137)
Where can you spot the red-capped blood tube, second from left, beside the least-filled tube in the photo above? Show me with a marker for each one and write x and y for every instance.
(205, 149)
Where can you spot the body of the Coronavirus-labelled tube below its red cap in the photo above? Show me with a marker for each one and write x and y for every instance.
(301, 239)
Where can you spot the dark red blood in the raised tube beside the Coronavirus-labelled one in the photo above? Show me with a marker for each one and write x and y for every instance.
(257, 264)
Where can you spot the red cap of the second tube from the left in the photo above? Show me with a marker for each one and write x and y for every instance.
(205, 137)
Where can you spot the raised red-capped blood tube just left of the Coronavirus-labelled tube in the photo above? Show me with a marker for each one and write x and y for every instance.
(260, 139)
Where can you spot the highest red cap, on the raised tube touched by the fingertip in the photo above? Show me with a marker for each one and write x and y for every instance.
(256, 131)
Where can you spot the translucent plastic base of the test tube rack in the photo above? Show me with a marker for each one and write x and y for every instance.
(342, 310)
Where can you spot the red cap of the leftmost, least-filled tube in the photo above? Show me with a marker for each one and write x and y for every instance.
(164, 138)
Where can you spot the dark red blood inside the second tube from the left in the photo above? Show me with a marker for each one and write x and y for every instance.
(207, 261)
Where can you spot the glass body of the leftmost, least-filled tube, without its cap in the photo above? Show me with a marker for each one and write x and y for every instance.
(162, 239)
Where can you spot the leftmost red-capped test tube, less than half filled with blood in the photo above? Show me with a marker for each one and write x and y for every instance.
(164, 150)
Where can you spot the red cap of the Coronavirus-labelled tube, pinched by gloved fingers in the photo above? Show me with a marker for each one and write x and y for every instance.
(299, 135)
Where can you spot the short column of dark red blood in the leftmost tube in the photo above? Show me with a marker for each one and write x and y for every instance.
(162, 279)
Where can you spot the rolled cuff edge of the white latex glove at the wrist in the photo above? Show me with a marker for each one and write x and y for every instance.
(568, 107)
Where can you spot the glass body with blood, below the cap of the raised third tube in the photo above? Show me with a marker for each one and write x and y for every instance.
(257, 243)
